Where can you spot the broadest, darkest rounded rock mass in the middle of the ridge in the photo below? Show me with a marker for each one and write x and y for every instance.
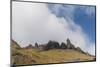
(52, 45)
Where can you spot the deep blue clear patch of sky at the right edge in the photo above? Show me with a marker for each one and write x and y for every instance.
(86, 21)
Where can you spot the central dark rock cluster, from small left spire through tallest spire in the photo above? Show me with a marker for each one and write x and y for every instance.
(55, 45)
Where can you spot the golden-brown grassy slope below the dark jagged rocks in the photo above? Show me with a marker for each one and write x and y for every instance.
(23, 56)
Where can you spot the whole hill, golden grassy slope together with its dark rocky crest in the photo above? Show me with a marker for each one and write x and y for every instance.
(52, 52)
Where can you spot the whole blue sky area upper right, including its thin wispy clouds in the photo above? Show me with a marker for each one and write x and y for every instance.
(81, 15)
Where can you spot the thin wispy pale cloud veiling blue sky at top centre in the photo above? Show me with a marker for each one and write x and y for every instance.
(66, 10)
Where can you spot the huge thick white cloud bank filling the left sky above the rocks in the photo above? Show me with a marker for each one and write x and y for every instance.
(33, 22)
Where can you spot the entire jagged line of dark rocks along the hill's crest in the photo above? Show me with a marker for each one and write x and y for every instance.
(53, 45)
